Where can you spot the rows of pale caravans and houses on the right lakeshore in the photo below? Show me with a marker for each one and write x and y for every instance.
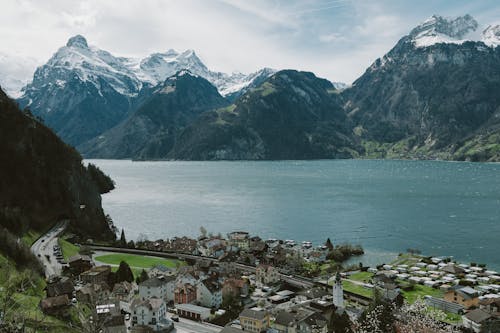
(469, 290)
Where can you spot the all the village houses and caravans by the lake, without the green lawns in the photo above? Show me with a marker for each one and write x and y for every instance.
(265, 300)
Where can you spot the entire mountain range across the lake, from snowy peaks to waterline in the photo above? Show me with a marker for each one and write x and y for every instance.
(434, 95)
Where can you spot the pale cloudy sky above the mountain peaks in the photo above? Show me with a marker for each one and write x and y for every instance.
(335, 39)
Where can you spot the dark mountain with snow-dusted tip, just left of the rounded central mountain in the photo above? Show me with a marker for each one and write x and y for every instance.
(152, 130)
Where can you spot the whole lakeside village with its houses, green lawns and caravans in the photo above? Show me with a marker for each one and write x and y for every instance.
(242, 283)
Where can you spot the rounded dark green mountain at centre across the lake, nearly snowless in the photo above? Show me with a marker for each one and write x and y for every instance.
(292, 115)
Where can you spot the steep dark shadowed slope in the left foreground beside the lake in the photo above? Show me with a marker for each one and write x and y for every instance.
(43, 180)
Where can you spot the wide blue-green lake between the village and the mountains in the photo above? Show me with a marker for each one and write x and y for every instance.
(440, 208)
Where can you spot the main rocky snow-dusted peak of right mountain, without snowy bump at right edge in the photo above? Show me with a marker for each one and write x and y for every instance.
(438, 29)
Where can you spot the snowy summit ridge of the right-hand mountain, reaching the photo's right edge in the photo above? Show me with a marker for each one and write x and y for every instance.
(438, 29)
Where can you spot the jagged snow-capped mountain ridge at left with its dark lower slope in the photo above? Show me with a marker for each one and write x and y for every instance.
(82, 90)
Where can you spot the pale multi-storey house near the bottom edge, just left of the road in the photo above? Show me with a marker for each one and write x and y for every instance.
(150, 312)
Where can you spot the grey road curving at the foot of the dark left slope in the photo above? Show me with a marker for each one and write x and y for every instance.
(43, 248)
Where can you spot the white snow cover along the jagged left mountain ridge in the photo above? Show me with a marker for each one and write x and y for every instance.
(128, 75)
